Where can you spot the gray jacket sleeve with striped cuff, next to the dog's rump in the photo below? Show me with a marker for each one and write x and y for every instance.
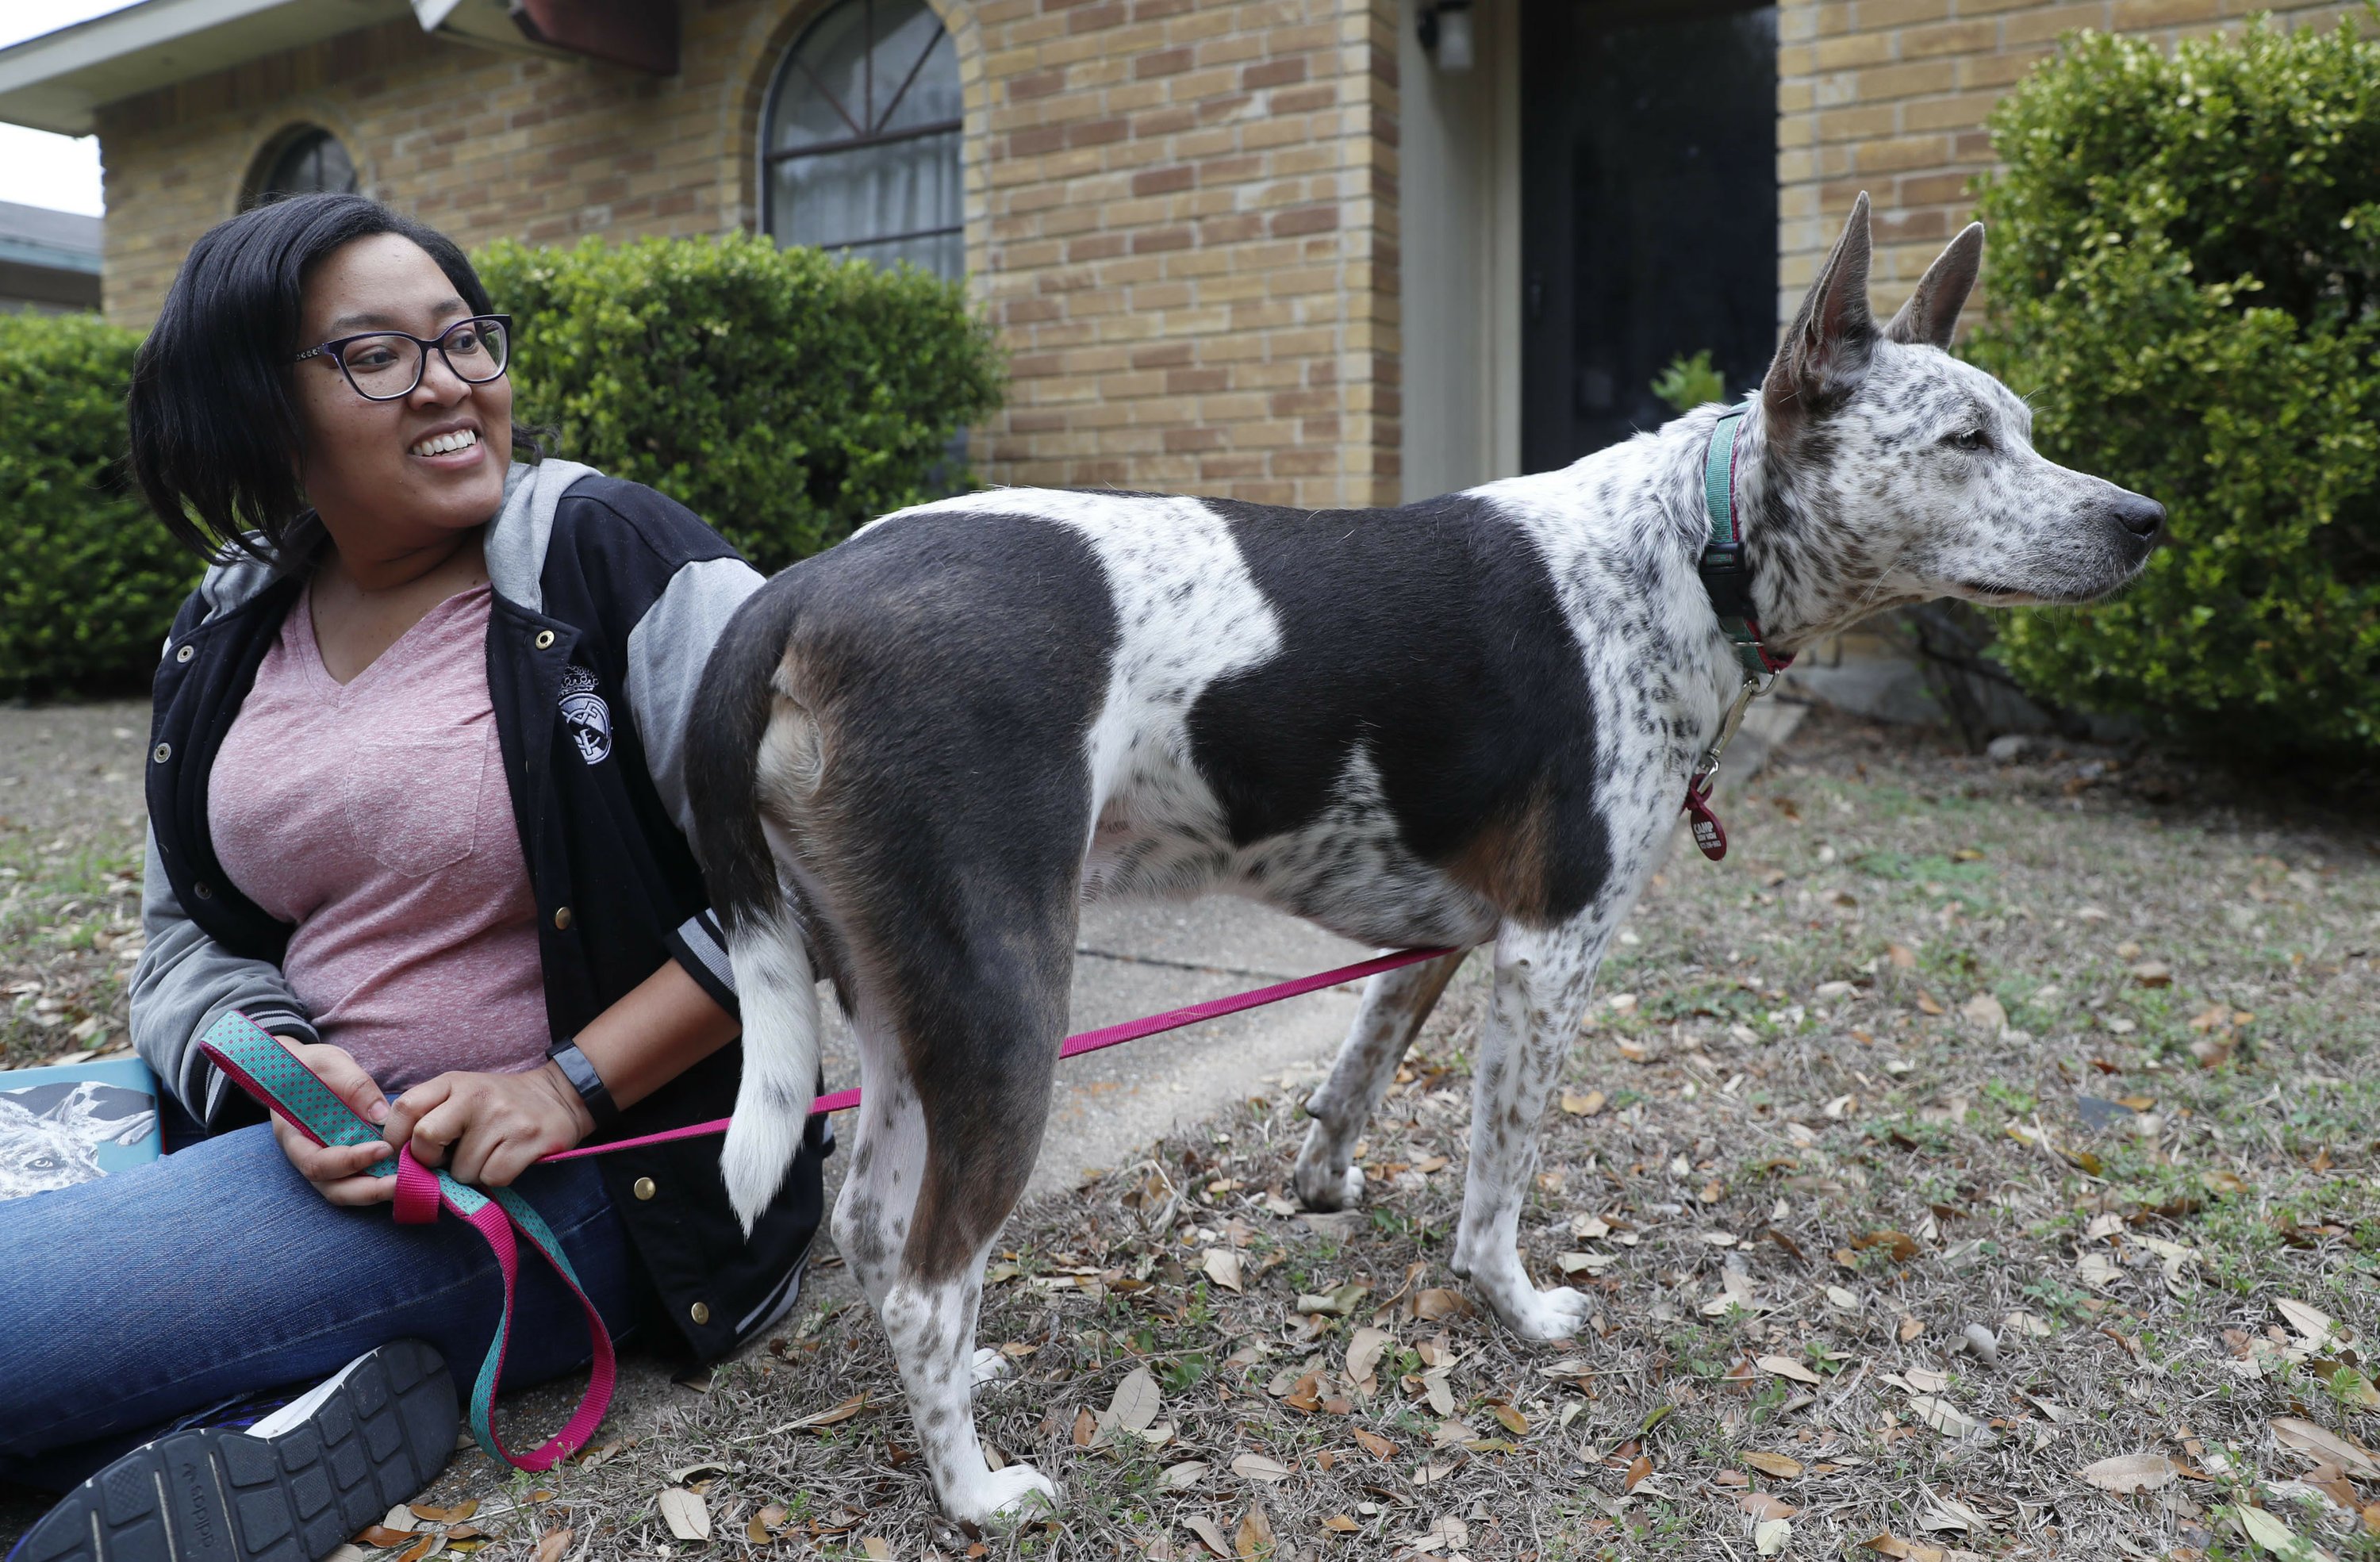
(668, 654)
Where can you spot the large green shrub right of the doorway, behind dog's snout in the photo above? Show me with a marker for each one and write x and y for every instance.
(2186, 282)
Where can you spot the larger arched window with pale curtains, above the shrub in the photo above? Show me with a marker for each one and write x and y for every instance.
(860, 149)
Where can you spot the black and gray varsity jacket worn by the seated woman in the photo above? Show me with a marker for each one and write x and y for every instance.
(608, 599)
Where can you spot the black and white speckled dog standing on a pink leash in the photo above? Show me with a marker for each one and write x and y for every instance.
(1463, 723)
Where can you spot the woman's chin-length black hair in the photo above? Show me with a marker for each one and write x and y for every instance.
(215, 435)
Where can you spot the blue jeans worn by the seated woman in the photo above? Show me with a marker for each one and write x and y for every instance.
(218, 1273)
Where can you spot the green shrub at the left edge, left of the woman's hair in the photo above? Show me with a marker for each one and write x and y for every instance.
(89, 580)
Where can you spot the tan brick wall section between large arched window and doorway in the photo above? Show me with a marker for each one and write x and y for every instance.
(1191, 244)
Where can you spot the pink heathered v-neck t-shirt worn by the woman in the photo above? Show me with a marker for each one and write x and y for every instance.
(375, 818)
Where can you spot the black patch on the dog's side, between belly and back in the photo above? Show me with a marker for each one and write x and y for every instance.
(1427, 639)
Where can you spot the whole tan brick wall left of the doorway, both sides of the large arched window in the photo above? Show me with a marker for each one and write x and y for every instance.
(1182, 213)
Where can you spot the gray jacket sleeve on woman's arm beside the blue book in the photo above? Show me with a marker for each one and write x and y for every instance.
(187, 982)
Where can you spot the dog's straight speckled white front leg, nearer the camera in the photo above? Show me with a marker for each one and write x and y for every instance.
(1541, 994)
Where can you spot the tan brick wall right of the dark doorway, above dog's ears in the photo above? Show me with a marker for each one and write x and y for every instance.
(1889, 96)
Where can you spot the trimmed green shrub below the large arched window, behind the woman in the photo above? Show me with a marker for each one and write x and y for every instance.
(782, 394)
